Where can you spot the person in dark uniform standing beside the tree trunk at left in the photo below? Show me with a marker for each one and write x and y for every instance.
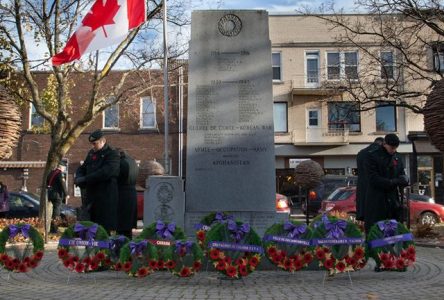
(56, 192)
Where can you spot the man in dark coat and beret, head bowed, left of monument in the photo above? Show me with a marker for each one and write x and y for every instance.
(98, 174)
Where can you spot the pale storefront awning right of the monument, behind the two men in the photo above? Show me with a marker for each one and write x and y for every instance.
(350, 149)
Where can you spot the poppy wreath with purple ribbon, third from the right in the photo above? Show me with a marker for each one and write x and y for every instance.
(287, 245)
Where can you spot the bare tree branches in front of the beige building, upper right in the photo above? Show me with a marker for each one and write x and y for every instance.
(401, 48)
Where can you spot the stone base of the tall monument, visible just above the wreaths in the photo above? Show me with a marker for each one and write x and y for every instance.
(259, 221)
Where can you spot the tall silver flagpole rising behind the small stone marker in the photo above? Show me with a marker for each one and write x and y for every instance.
(165, 87)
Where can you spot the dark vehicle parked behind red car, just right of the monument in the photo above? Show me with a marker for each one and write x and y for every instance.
(328, 184)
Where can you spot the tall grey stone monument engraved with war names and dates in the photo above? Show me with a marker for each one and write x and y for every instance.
(230, 136)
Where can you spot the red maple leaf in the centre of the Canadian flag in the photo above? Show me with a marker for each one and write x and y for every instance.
(101, 14)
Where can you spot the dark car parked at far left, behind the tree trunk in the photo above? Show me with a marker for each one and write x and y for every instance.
(27, 205)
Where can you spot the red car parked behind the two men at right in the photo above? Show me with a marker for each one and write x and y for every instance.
(423, 209)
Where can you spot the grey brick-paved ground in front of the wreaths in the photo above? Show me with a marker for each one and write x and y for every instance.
(51, 280)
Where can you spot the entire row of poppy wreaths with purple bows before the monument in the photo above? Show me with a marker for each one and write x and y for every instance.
(233, 247)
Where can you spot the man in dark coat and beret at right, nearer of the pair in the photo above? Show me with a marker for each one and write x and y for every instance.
(385, 173)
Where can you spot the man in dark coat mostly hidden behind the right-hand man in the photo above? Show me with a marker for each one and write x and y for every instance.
(361, 188)
